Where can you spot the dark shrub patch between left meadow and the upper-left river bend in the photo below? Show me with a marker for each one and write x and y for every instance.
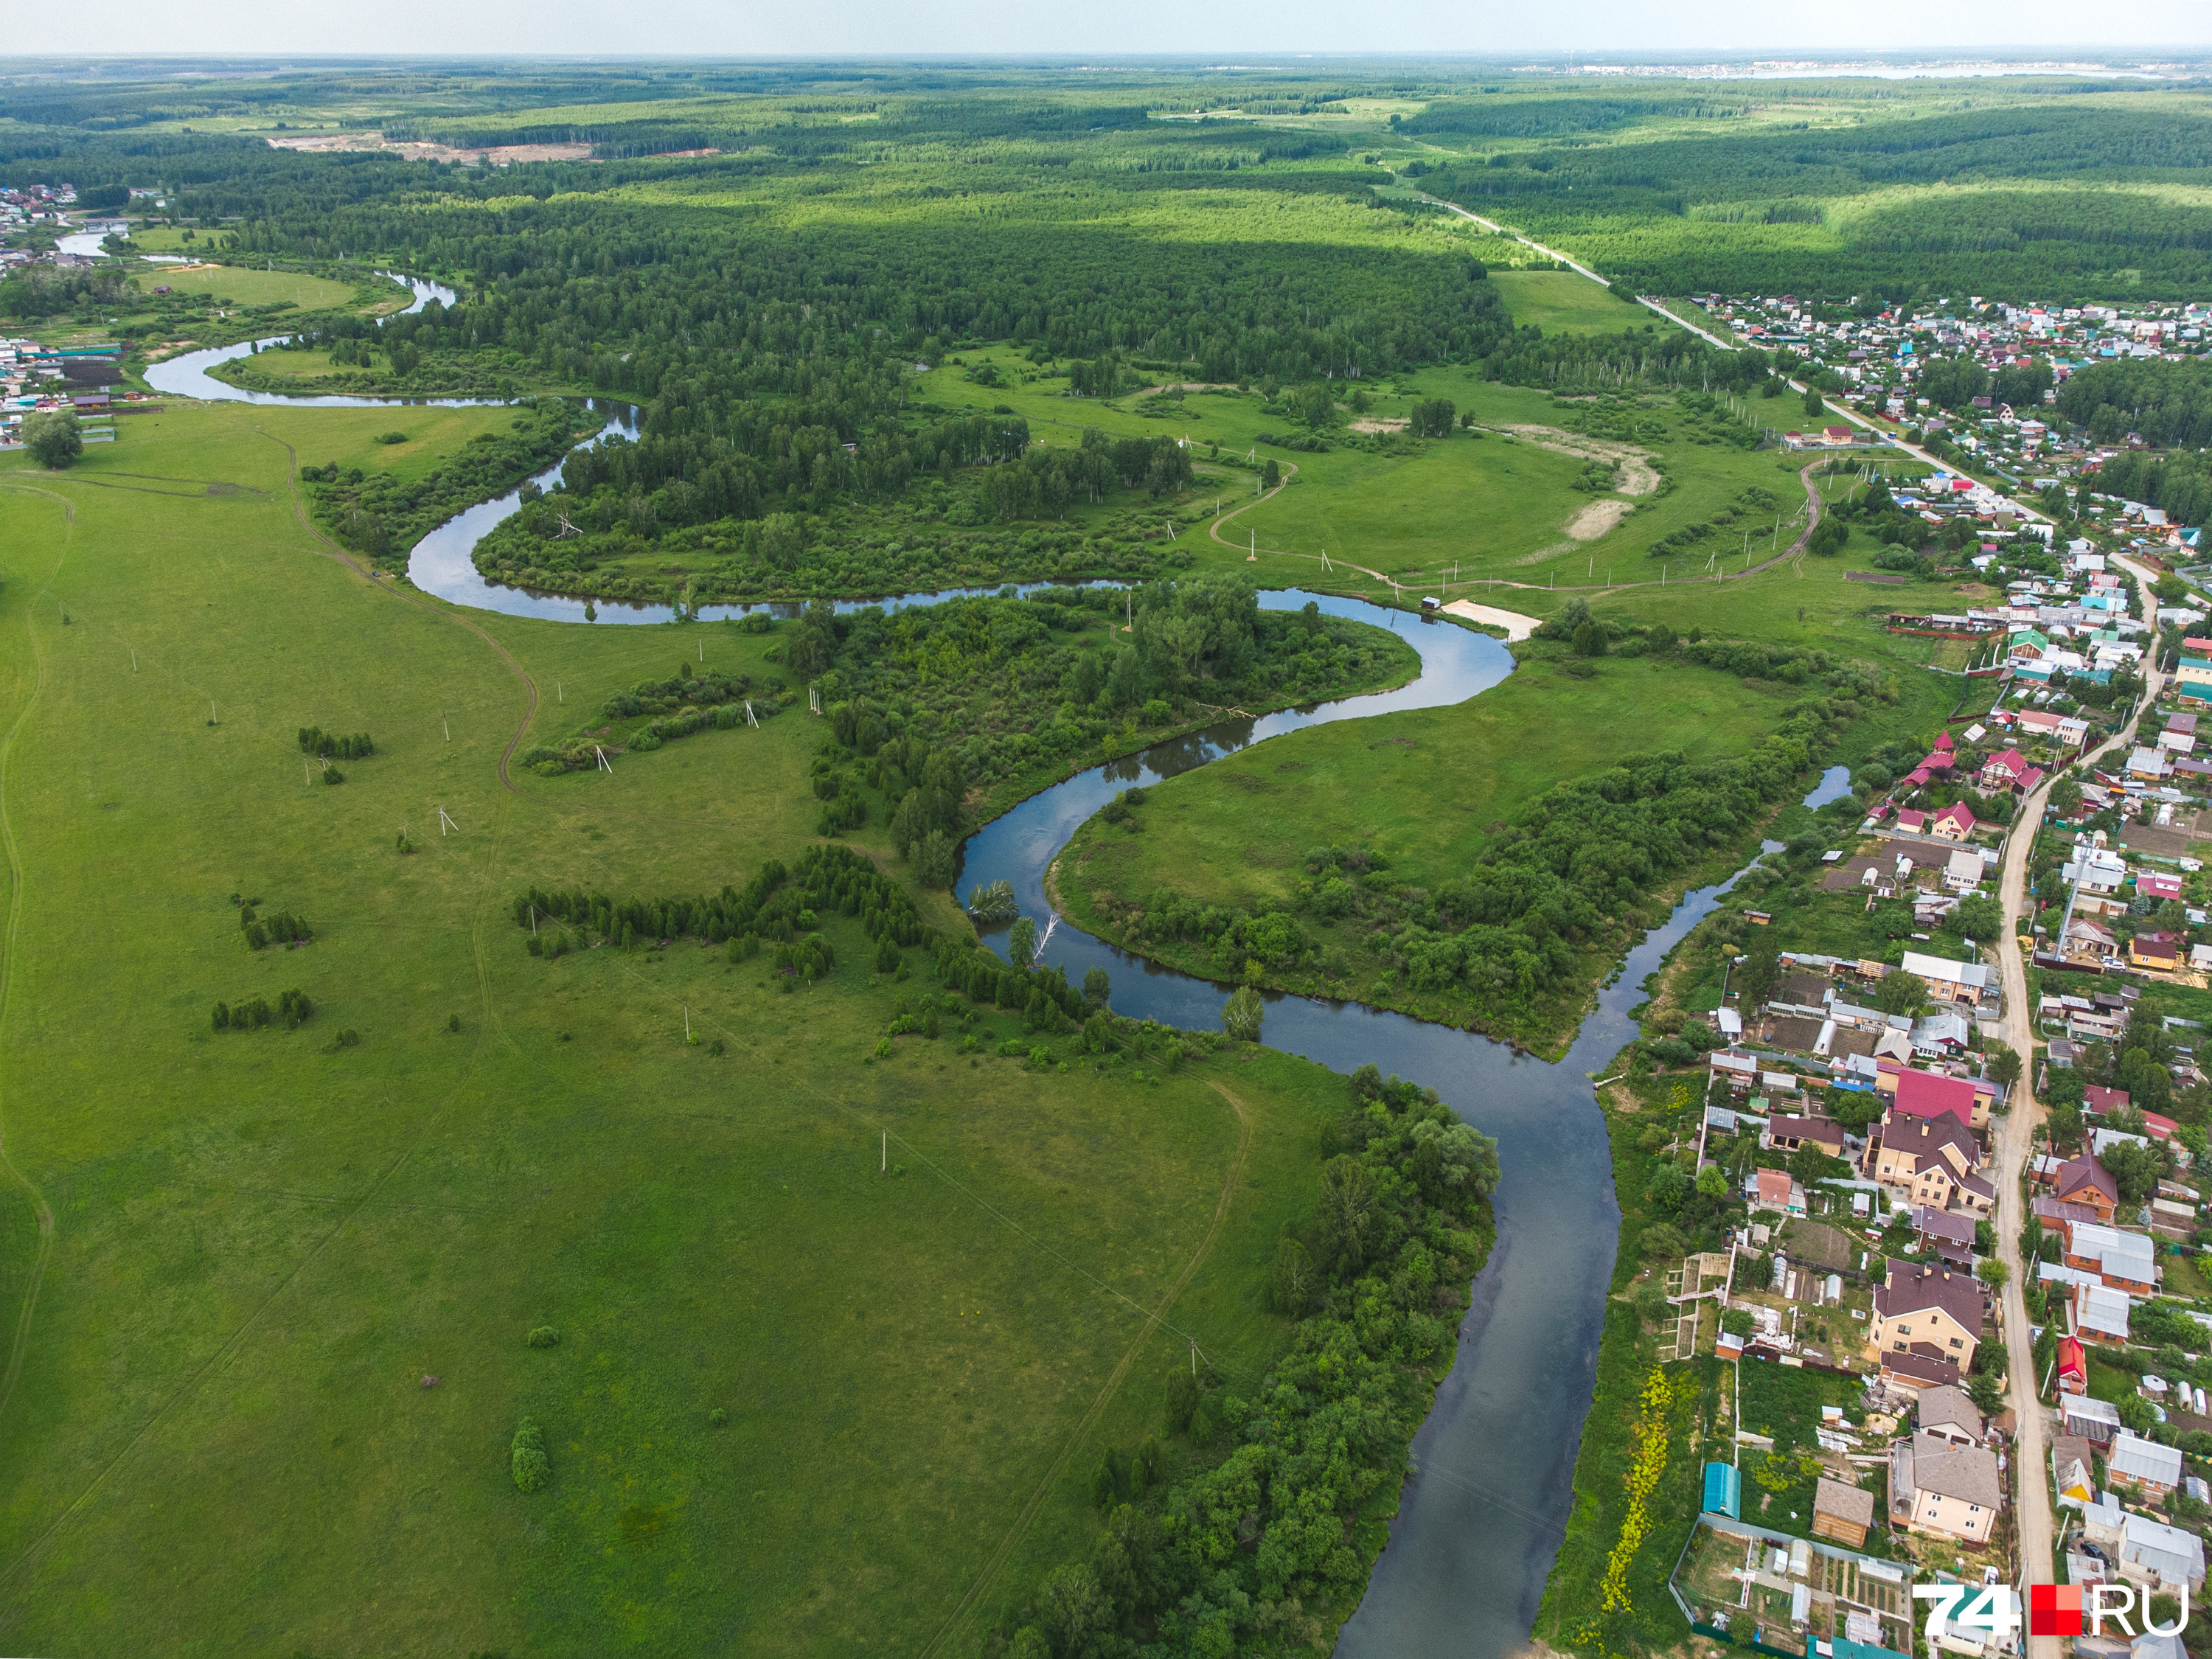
(384, 514)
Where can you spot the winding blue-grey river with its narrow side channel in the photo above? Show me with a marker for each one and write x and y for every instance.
(1488, 1507)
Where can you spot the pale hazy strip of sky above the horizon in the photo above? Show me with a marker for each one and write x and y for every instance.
(1238, 30)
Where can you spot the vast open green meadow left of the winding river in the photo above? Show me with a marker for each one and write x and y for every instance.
(264, 1242)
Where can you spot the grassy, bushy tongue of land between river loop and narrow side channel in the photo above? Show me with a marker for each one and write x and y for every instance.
(1415, 864)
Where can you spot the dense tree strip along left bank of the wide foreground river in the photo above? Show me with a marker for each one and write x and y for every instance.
(1377, 1275)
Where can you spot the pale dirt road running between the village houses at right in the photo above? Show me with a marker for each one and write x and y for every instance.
(2016, 1140)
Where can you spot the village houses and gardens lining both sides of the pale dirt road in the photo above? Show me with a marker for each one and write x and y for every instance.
(1850, 1085)
